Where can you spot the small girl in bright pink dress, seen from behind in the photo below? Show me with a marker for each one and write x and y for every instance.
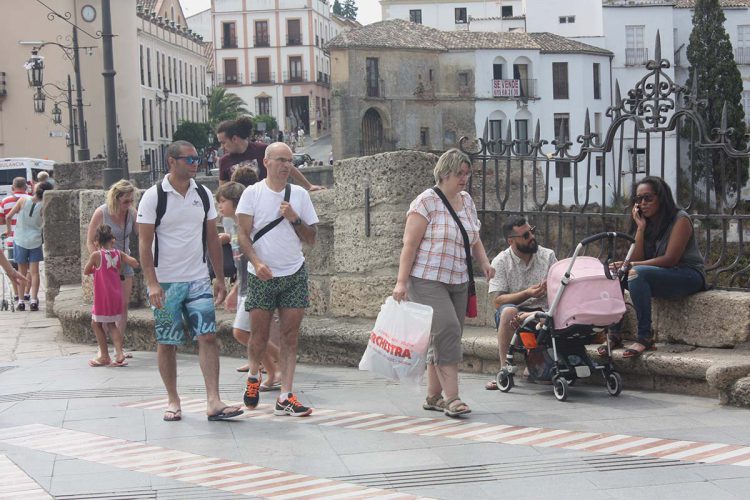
(105, 265)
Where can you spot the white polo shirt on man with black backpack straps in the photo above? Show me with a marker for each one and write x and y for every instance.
(180, 232)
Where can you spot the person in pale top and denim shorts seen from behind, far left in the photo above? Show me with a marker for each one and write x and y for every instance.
(27, 240)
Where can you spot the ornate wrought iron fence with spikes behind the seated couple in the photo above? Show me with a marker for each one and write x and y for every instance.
(569, 192)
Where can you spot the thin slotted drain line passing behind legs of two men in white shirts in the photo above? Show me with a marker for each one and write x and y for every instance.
(120, 392)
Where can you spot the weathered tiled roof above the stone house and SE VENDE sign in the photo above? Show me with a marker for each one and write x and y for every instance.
(401, 34)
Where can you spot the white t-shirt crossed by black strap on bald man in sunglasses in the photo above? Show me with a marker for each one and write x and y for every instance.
(280, 248)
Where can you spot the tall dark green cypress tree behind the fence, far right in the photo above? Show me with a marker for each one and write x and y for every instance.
(712, 62)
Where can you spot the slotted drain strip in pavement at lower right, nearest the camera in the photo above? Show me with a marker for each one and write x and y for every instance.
(507, 470)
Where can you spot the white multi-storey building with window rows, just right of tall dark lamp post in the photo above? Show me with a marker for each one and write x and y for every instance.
(174, 76)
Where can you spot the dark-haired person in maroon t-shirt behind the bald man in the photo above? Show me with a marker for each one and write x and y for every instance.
(240, 150)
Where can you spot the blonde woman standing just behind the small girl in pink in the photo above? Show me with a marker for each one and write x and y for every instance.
(118, 213)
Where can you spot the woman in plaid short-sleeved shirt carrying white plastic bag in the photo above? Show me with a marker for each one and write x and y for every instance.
(433, 271)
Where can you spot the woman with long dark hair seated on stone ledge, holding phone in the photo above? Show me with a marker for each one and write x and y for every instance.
(666, 263)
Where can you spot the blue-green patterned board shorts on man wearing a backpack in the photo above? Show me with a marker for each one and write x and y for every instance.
(191, 302)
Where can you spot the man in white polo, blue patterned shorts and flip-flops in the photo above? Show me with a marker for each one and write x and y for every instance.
(177, 276)
